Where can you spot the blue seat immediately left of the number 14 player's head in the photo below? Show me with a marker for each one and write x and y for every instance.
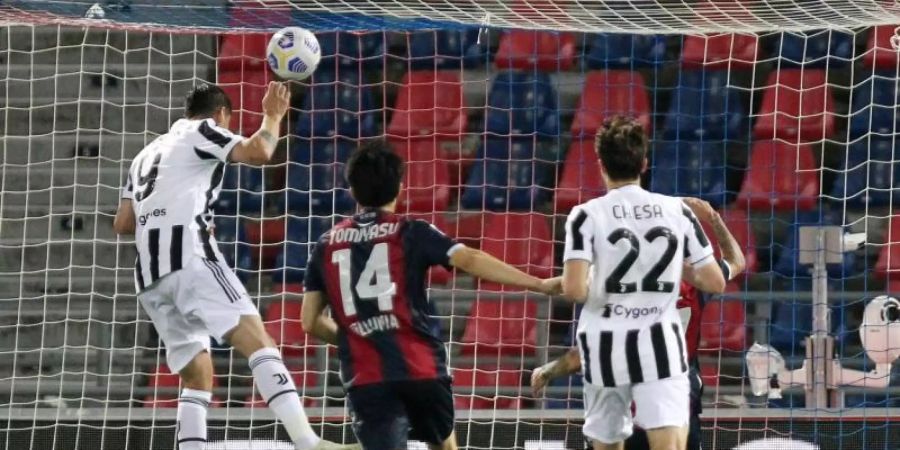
(315, 177)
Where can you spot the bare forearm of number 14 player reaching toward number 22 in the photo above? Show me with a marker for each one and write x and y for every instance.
(486, 267)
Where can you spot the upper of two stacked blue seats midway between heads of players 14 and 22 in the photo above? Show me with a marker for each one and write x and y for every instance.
(522, 103)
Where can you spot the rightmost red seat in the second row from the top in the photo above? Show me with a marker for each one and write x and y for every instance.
(797, 106)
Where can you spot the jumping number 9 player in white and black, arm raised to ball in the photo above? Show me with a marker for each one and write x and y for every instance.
(181, 278)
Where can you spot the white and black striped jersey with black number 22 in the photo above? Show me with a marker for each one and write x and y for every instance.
(629, 330)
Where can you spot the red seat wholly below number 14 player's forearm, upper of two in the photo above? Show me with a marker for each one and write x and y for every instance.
(501, 327)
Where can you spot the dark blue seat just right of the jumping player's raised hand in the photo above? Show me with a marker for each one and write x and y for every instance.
(337, 106)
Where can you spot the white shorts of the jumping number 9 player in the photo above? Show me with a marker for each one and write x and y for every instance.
(188, 306)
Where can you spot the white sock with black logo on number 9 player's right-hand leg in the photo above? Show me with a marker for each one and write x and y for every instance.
(278, 390)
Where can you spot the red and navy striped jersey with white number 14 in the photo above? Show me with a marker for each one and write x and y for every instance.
(373, 268)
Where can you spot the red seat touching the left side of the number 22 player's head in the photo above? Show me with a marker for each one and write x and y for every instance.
(580, 180)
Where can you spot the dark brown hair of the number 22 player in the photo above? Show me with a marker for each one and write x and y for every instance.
(622, 146)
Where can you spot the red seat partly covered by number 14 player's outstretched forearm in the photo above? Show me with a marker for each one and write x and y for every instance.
(523, 240)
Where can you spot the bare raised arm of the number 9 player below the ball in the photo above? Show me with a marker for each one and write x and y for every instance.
(258, 149)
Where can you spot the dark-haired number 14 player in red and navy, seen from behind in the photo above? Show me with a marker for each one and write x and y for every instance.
(371, 270)
